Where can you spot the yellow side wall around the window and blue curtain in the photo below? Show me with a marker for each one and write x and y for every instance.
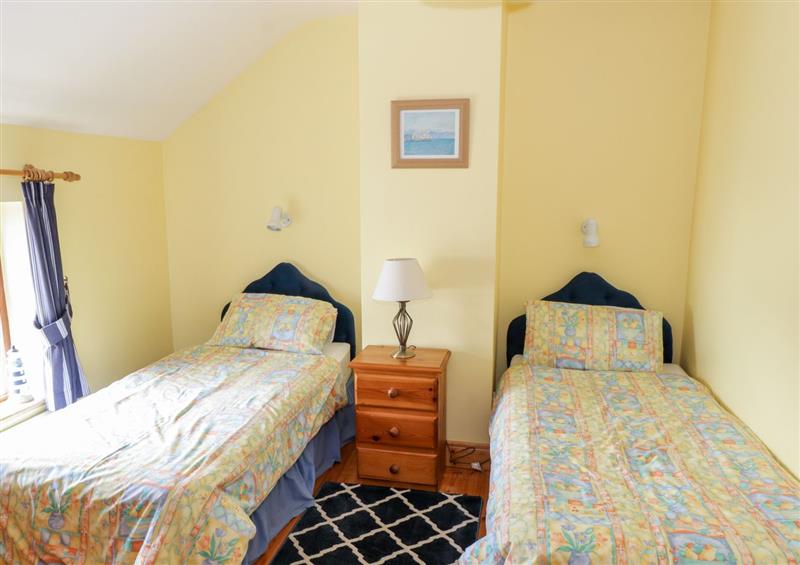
(111, 226)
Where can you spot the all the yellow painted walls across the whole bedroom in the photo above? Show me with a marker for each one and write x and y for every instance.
(577, 109)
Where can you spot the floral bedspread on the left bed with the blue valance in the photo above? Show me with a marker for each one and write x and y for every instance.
(165, 465)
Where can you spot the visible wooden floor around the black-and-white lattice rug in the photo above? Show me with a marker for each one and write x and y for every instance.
(454, 480)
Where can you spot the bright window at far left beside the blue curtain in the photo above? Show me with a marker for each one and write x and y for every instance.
(20, 301)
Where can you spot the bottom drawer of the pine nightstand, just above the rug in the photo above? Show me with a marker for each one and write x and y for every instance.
(397, 466)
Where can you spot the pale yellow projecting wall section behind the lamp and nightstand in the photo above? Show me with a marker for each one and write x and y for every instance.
(444, 217)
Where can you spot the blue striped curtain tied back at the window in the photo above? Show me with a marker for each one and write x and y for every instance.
(64, 379)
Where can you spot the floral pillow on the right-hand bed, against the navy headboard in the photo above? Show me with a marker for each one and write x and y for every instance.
(601, 338)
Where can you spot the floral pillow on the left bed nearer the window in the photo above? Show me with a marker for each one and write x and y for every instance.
(274, 321)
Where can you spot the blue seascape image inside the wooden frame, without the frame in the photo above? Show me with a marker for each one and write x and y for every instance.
(430, 134)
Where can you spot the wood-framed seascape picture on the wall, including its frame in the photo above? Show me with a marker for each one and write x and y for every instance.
(430, 133)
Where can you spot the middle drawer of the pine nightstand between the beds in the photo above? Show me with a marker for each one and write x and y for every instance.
(395, 429)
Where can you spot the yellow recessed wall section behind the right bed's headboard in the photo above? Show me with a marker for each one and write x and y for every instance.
(602, 113)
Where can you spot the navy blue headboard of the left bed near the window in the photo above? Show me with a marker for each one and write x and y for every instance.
(287, 279)
